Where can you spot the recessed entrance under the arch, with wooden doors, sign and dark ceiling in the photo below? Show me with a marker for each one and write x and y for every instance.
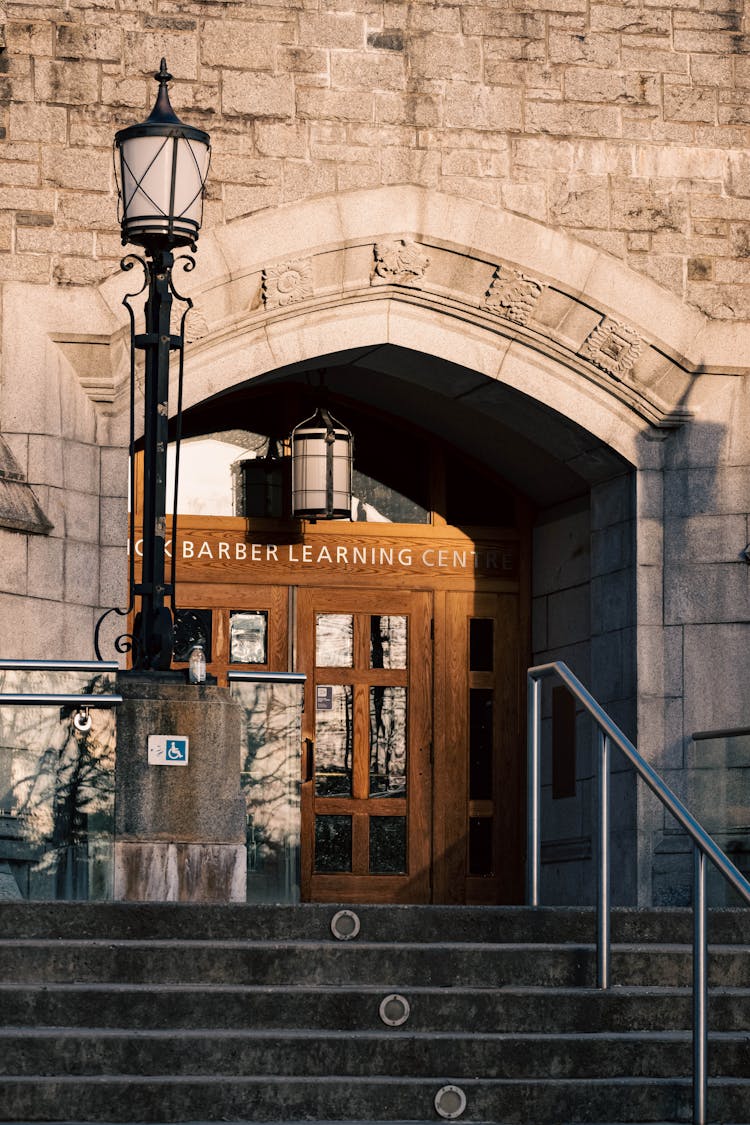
(412, 622)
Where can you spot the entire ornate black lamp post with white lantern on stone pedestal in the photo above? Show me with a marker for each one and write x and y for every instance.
(162, 167)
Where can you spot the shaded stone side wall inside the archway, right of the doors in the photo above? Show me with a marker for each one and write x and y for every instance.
(584, 615)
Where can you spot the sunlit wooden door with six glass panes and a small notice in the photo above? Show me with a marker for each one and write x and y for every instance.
(367, 815)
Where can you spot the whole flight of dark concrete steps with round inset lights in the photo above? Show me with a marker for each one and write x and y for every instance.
(180, 1013)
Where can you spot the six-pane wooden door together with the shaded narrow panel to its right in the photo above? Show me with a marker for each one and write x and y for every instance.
(412, 752)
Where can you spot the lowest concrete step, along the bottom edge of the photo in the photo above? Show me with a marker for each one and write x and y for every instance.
(264, 1099)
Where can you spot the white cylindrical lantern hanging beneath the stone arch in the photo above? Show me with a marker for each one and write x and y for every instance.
(321, 469)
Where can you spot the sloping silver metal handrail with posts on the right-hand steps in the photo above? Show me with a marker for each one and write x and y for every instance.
(704, 849)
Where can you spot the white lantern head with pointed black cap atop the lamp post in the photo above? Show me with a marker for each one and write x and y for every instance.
(164, 165)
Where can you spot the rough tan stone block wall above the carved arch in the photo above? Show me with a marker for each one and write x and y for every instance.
(627, 125)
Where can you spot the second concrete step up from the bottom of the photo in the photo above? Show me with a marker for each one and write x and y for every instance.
(109, 1052)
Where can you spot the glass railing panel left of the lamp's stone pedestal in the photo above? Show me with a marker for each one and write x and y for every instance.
(57, 782)
